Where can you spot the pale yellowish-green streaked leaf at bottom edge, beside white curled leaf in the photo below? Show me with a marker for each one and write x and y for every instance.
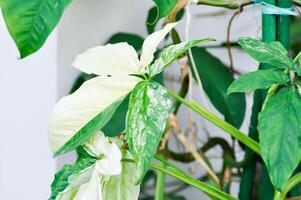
(122, 186)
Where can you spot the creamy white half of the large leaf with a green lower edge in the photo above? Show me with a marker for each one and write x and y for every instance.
(73, 112)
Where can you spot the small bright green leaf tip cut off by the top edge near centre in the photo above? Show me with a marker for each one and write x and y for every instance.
(164, 7)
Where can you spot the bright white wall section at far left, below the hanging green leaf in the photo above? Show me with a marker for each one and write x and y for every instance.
(27, 95)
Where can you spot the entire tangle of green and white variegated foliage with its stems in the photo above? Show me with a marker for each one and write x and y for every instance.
(114, 165)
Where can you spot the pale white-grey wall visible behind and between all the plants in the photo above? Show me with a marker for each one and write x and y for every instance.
(30, 87)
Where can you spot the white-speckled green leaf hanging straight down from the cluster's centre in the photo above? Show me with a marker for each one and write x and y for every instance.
(149, 108)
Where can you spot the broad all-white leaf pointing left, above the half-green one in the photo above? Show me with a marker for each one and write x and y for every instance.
(112, 59)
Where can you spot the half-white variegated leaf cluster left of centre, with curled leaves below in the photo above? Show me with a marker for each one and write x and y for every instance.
(77, 119)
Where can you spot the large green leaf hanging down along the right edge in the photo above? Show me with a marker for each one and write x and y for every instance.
(280, 137)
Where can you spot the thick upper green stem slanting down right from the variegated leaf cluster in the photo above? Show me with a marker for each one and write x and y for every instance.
(234, 132)
